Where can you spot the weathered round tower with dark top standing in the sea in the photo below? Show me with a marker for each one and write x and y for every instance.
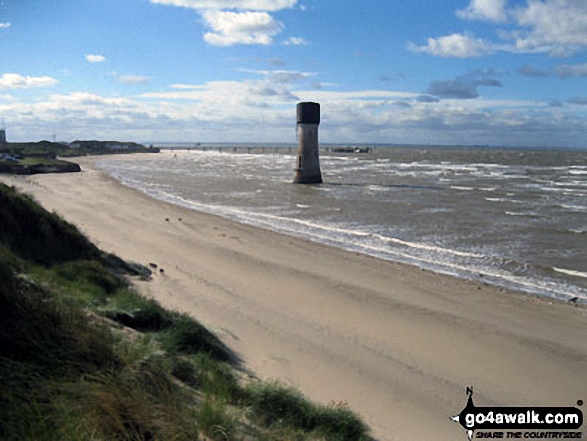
(308, 162)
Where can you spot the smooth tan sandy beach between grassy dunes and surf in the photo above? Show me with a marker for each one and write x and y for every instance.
(396, 343)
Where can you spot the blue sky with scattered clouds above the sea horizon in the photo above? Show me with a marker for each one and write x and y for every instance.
(450, 72)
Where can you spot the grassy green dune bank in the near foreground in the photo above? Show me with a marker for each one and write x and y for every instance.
(83, 356)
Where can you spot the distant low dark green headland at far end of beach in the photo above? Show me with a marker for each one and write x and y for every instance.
(41, 157)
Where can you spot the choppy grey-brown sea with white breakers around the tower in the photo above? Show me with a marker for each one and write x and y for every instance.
(514, 218)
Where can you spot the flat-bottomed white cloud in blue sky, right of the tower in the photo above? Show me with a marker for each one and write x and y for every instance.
(454, 45)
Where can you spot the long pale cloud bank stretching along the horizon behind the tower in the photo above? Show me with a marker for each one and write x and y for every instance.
(235, 110)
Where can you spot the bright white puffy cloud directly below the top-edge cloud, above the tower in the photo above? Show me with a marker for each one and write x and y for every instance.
(240, 27)
